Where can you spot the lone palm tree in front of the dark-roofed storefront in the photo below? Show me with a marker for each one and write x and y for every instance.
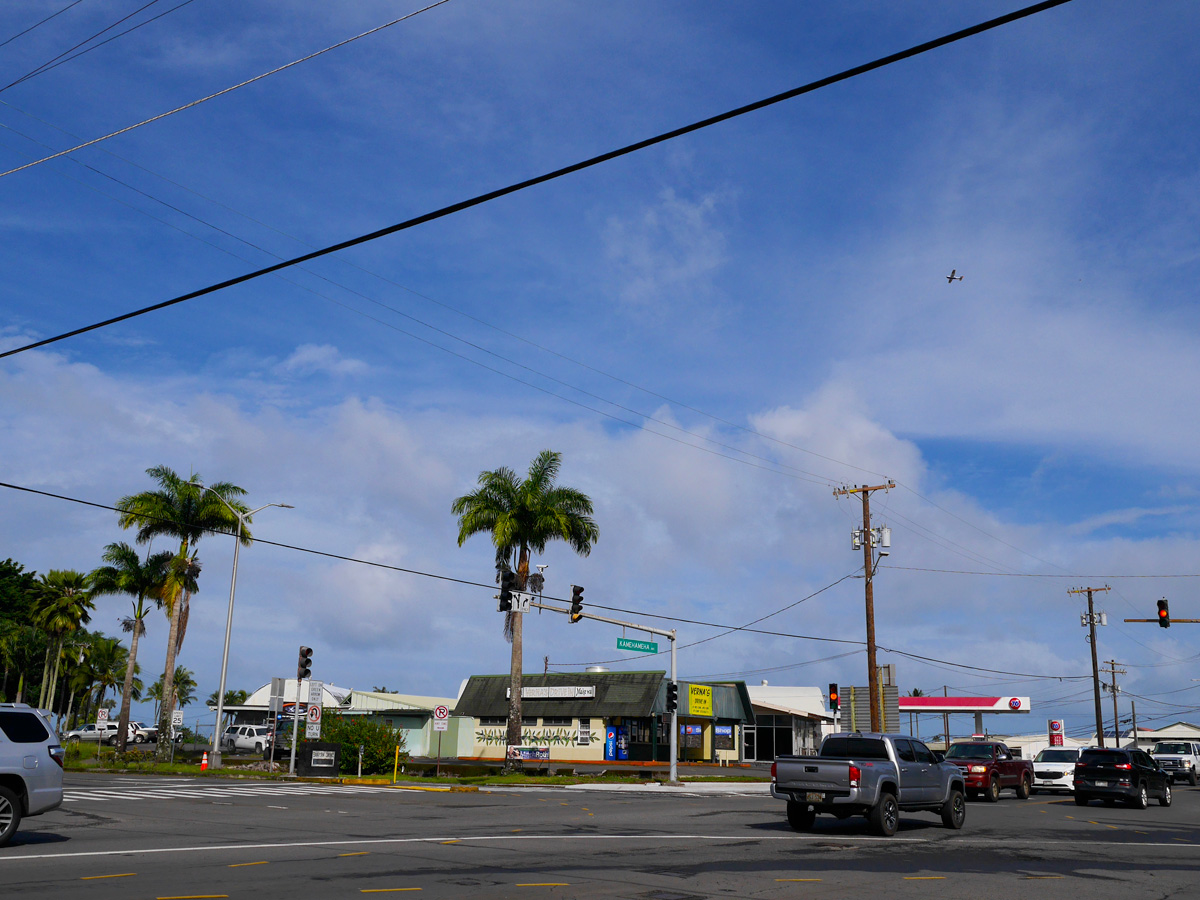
(524, 518)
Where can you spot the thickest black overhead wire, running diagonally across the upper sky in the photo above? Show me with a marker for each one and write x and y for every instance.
(549, 177)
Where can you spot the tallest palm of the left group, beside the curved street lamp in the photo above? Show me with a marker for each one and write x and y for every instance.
(182, 511)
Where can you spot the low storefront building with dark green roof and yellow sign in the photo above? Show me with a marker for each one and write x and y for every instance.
(593, 717)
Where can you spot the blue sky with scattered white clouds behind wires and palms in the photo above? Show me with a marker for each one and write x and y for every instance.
(715, 332)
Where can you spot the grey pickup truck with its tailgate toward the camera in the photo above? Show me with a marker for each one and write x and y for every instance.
(873, 776)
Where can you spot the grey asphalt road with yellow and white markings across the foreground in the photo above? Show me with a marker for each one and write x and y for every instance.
(129, 838)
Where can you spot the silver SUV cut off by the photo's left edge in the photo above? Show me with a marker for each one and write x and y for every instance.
(31, 767)
